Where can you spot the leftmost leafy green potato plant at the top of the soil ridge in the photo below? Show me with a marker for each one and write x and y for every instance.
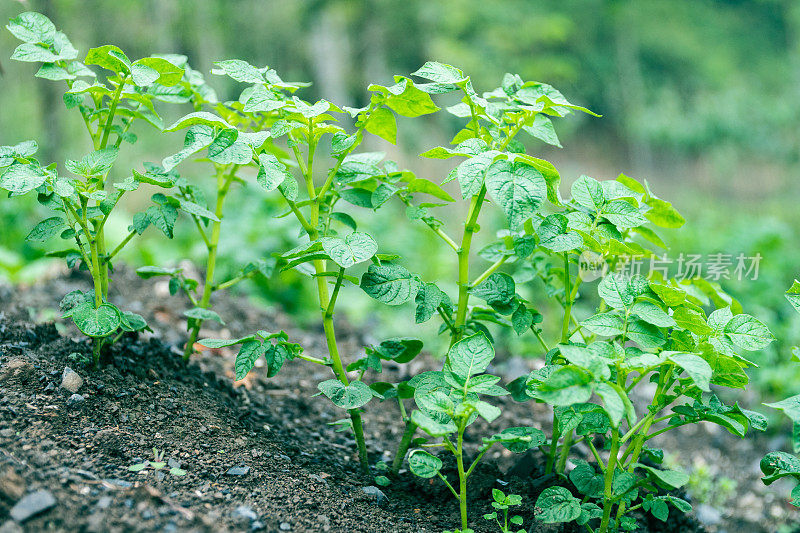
(84, 199)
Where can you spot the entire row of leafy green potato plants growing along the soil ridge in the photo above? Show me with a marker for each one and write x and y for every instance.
(667, 340)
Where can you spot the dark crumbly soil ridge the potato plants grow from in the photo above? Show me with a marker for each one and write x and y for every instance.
(297, 472)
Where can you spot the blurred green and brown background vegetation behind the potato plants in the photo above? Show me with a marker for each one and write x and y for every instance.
(700, 97)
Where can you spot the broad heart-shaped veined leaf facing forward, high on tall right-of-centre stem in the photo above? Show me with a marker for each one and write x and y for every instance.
(518, 188)
